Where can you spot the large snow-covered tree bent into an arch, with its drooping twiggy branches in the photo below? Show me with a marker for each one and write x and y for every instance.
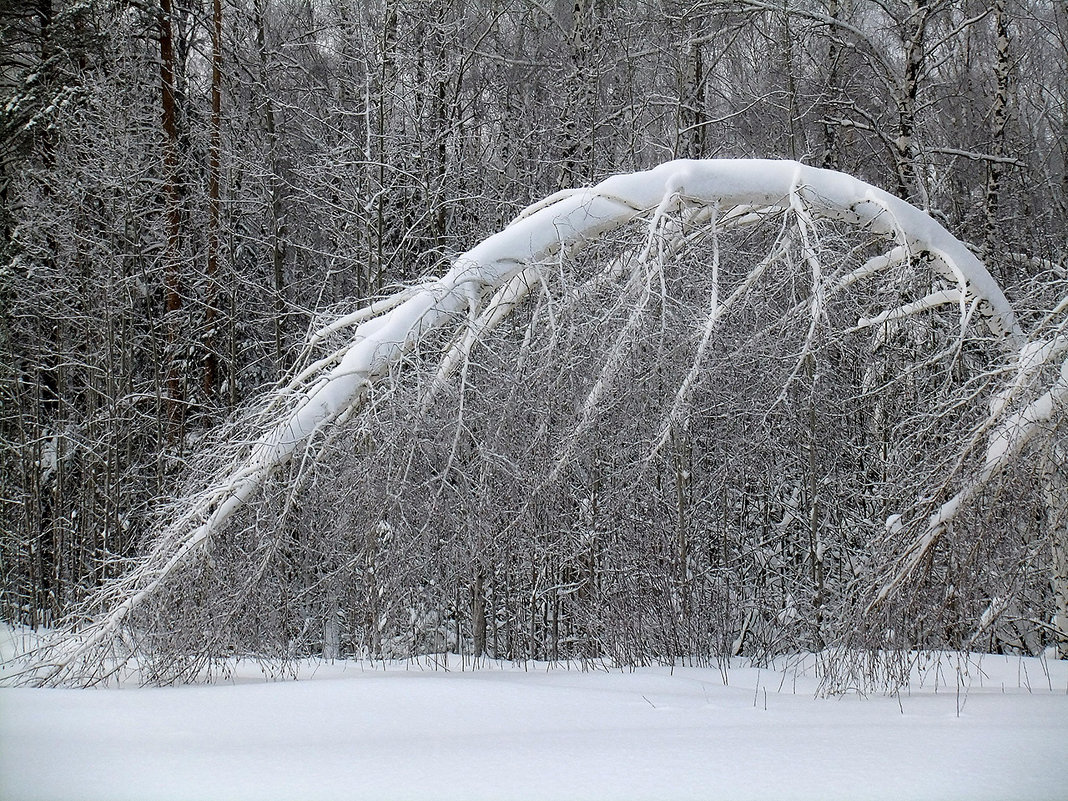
(718, 407)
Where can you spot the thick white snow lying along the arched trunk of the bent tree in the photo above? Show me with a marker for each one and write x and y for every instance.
(328, 391)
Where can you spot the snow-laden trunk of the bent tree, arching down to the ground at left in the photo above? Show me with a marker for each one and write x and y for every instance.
(480, 290)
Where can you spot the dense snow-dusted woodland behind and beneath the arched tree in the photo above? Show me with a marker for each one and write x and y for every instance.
(189, 189)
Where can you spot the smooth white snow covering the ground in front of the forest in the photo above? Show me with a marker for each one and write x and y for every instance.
(404, 731)
